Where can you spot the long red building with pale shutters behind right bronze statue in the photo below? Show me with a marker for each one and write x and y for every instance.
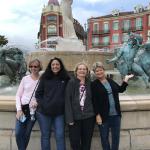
(108, 32)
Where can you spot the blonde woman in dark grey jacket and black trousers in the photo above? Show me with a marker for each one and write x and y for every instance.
(79, 109)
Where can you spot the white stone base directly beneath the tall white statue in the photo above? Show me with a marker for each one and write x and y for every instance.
(69, 44)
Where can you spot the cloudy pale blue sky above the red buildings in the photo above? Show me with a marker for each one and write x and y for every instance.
(20, 19)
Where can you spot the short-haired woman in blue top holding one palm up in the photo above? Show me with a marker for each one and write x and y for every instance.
(105, 94)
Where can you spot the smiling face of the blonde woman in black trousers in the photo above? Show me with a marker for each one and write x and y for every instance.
(81, 71)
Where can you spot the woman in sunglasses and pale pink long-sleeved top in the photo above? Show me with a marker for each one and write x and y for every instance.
(23, 96)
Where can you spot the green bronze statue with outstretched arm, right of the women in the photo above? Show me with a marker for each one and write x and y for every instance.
(133, 57)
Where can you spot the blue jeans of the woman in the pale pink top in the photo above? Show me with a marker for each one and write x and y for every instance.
(22, 133)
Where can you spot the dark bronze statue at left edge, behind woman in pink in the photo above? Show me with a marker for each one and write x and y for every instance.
(12, 64)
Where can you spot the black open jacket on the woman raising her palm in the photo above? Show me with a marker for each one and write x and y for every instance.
(101, 100)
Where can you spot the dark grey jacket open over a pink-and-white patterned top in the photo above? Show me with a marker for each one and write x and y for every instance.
(72, 106)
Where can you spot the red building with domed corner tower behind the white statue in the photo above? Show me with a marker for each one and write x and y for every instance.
(51, 24)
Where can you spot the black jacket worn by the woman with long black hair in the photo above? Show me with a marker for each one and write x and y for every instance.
(50, 96)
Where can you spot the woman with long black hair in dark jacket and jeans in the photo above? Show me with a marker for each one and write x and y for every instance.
(51, 103)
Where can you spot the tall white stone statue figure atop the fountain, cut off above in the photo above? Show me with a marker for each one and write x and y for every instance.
(68, 27)
